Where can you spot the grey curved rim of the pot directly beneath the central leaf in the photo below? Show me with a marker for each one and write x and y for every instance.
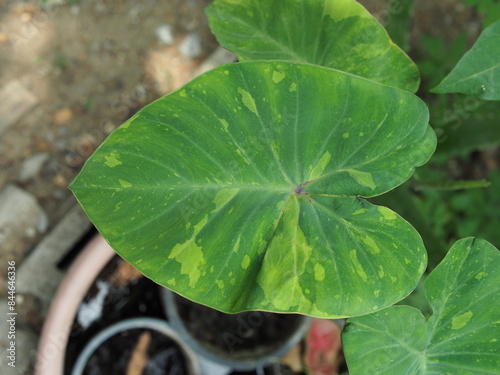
(167, 298)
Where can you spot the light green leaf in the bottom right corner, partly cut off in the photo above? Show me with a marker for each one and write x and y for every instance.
(461, 337)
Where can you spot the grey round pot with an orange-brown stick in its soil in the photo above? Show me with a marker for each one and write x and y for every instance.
(147, 344)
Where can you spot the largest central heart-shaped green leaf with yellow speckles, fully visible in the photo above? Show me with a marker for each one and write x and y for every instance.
(242, 190)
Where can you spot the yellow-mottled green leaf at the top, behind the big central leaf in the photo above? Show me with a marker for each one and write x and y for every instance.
(339, 34)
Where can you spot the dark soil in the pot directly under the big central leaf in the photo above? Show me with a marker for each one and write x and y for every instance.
(237, 336)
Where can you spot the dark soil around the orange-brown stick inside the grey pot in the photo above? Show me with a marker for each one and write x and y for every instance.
(113, 357)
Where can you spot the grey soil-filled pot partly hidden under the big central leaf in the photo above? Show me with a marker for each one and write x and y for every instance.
(244, 341)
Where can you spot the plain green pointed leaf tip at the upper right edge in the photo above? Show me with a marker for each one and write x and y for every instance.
(478, 72)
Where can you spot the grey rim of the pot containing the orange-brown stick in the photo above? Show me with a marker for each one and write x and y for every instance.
(155, 324)
